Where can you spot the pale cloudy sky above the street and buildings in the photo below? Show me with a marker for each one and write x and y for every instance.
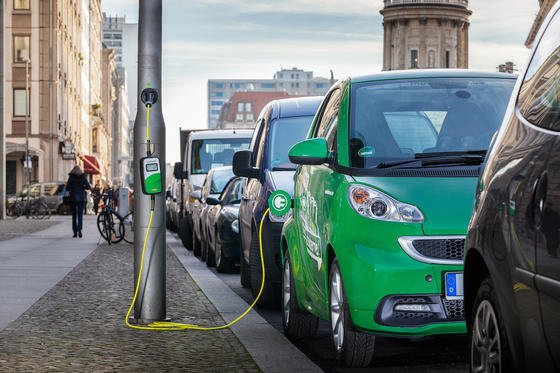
(252, 39)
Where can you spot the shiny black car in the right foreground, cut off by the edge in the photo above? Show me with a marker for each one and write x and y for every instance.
(512, 258)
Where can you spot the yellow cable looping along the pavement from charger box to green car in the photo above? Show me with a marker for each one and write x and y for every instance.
(167, 325)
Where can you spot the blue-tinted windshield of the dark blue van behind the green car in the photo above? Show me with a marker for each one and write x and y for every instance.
(284, 133)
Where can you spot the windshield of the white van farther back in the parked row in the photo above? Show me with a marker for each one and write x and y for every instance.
(210, 153)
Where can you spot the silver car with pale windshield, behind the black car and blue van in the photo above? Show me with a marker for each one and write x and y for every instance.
(213, 185)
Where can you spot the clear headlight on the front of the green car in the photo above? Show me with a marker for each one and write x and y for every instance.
(374, 204)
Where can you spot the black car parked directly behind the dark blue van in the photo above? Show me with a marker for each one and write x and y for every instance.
(223, 227)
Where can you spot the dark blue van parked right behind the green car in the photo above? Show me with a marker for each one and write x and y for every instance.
(267, 168)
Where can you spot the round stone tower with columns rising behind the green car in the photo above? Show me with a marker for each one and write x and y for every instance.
(425, 34)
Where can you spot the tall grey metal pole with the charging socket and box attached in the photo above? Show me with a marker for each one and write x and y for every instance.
(150, 302)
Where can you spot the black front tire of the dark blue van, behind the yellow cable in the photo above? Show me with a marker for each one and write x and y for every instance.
(268, 298)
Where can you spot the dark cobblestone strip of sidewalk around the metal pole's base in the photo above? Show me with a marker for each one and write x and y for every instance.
(79, 325)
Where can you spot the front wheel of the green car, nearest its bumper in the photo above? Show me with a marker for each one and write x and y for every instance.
(352, 348)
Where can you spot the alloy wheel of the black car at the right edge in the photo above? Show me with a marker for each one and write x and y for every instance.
(485, 341)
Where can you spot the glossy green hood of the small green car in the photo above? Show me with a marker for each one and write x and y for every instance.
(446, 203)
